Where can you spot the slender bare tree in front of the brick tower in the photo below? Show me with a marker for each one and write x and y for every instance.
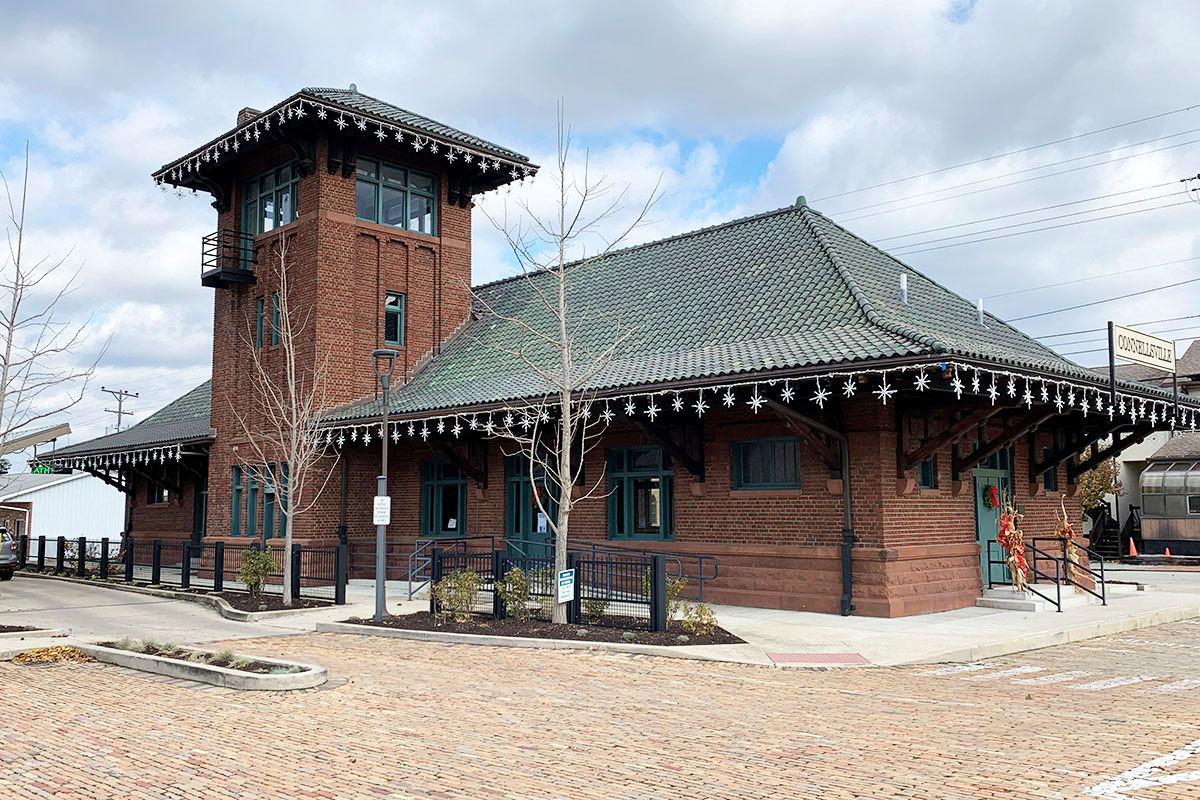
(280, 422)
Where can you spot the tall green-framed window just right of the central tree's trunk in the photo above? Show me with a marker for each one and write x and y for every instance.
(641, 485)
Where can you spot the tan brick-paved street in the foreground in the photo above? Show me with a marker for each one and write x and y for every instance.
(415, 720)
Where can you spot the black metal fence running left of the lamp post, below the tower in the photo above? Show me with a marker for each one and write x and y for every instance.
(320, 574)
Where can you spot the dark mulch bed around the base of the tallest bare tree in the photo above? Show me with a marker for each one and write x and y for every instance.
(614, 629)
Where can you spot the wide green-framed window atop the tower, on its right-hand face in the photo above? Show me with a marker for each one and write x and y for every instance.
(397, 196)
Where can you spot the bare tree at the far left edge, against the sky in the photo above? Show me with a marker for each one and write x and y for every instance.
(38, 376)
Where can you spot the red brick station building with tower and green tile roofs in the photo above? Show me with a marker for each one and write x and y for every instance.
(783, 374)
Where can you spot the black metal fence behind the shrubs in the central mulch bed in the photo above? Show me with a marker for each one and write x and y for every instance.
(620, 590)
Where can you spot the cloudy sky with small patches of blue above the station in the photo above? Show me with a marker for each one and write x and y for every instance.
(739, 107)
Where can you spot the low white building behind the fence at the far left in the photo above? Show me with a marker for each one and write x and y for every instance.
(53, 506)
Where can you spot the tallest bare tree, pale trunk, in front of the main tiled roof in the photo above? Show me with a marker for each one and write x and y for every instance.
(556, 432)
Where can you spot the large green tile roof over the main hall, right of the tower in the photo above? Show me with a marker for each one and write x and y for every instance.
(781, 291)
